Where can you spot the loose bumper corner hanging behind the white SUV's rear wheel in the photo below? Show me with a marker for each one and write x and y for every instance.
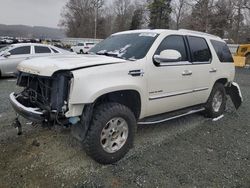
(233, 90)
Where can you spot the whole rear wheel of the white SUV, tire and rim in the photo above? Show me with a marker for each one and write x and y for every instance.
(216, 103)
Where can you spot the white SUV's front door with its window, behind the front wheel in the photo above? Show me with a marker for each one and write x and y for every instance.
(170, 85)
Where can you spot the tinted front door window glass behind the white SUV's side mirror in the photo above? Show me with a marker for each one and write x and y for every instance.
(173, 43)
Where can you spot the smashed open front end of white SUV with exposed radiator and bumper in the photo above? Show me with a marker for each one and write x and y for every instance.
(44, 99)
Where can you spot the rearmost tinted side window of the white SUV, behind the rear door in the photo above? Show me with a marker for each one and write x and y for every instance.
(222, 51)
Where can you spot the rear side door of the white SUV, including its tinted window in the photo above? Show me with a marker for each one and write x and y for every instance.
(203, 68)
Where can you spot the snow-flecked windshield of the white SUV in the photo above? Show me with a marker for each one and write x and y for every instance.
(131, 46)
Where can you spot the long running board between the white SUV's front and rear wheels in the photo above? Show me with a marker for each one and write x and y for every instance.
(156, 120)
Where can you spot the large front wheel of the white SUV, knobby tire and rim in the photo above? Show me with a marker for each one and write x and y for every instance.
(111, 133)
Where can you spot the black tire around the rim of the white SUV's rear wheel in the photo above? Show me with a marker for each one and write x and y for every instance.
(210, 112)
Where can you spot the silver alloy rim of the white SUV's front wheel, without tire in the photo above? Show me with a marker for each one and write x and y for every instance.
(114, 135)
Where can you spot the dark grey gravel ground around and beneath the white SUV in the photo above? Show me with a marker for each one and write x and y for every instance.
(189, 152)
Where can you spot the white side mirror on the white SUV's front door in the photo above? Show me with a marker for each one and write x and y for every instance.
(168, 56)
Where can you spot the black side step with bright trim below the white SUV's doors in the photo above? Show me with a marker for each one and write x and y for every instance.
(170, 115)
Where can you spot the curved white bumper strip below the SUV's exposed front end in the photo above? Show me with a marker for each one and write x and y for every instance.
(32, 114)
